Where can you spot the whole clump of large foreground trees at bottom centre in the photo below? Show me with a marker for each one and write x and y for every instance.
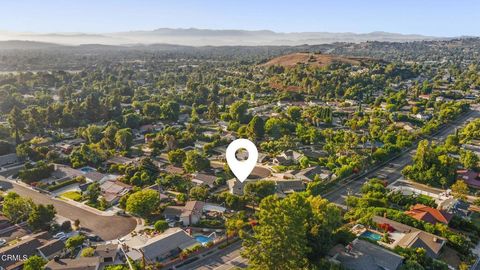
(293, 232)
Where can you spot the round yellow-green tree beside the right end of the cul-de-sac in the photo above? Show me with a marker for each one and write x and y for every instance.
(143, 203)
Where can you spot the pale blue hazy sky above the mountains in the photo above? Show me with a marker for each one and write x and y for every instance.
(428, 17)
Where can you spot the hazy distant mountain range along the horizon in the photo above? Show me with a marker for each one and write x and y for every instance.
(207, 37)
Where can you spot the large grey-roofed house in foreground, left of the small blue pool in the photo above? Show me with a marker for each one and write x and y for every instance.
(168, 244)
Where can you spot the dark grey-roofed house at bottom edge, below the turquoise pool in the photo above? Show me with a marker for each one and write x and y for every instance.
(362, 255)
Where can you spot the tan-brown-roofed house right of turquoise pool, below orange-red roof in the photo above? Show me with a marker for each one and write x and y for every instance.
(410, 237)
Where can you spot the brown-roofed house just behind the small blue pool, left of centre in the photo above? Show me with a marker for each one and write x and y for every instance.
(189, 214)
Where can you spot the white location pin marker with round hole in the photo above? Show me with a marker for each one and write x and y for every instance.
(242, 168)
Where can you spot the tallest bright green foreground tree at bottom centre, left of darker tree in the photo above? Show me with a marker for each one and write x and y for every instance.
(280, 238)
